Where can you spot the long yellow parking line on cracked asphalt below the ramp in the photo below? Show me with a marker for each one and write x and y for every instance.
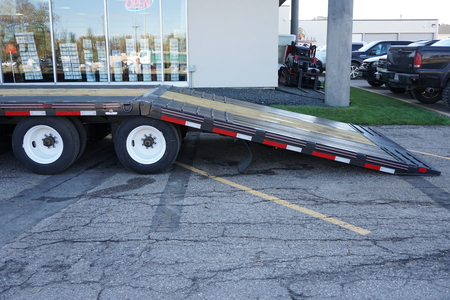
(279, 201)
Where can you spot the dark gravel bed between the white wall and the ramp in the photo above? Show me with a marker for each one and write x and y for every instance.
(289, 96)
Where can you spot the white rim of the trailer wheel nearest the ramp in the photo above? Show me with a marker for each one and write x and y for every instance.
(144, 153)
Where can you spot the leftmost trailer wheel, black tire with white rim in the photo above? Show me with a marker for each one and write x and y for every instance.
(46, 145)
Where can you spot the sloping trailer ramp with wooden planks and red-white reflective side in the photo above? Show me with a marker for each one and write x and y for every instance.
(346, 143)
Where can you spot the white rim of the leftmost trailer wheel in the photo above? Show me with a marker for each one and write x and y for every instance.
(33, 144)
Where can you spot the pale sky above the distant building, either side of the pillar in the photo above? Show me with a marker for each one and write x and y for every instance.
(383, 9)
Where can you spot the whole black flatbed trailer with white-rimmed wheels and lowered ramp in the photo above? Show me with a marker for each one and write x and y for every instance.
(49, 136)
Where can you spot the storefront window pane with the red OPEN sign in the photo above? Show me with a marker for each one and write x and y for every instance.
(134, 38)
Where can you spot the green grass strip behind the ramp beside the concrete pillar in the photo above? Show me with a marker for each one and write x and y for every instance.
(368, 108)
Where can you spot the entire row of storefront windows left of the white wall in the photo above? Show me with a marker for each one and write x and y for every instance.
(146, 40)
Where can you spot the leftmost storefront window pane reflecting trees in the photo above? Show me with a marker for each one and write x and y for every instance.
(25, 41)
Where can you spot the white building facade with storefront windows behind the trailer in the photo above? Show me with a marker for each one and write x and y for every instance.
(197, 43)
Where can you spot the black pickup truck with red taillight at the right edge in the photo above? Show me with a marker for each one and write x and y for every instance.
(424, 71)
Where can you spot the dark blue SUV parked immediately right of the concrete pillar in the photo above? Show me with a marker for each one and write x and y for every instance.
(372, 49)
